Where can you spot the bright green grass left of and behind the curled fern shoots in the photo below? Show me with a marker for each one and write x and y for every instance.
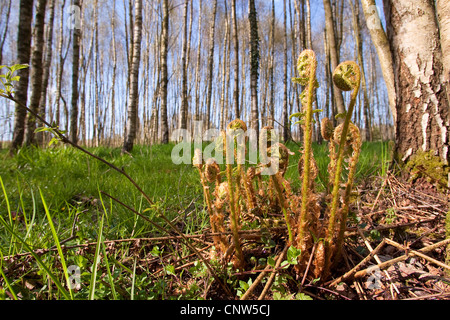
(51, 198)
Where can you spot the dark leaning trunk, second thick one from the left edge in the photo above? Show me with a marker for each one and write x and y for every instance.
(46, 75)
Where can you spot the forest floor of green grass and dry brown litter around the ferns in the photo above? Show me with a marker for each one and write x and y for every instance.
(396, 228)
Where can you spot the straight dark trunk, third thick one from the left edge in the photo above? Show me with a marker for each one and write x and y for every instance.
(75, 70)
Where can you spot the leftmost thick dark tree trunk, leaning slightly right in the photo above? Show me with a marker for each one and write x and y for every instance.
(23, 57)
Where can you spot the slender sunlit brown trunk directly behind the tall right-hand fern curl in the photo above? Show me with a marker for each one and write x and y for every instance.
(334, 55)
